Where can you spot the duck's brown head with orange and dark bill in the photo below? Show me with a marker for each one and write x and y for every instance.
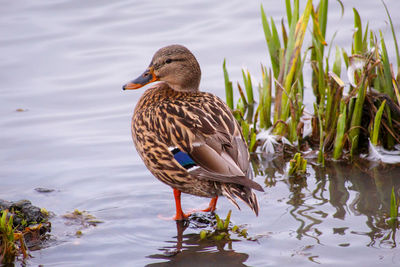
(173, 64)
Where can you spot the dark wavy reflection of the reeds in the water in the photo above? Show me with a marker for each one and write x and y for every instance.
(358, 189)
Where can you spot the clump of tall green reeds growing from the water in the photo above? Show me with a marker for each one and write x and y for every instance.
(347, 119)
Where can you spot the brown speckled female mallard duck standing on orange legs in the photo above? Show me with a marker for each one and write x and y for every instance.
(189, 139)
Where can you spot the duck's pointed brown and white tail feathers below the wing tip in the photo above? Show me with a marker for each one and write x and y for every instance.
(230, 191)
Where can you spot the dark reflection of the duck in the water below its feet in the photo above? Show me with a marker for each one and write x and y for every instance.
(195, 253)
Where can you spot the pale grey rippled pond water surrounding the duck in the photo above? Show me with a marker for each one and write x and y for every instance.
(63, 64)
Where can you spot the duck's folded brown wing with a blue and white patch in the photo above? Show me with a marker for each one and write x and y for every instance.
(204, 134)
